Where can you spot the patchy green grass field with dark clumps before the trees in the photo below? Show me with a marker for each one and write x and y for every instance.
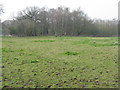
(60, 62)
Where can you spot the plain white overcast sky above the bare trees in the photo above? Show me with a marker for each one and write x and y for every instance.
(103, 9)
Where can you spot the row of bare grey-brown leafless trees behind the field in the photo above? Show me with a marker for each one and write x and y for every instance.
(35, 21)
